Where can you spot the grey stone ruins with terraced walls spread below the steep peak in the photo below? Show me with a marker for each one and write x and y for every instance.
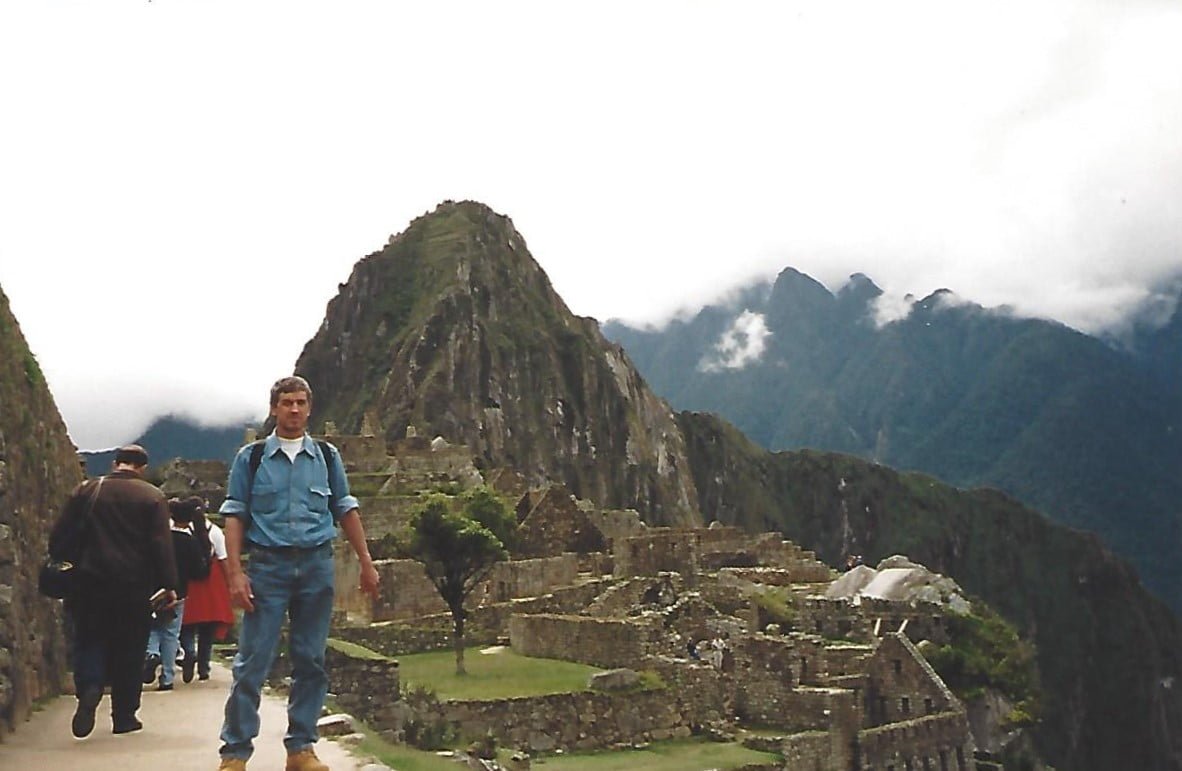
(832, 682)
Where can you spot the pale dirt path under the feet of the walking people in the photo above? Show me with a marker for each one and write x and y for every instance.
(180, 734)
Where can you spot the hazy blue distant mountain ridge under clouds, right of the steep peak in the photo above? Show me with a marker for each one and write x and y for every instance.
(1066, 423)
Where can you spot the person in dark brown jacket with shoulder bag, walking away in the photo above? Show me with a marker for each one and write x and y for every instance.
(127, 555)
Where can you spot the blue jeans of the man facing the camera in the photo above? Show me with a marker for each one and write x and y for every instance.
(285, 582)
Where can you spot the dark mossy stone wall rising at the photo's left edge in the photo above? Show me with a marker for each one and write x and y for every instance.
(38, 469)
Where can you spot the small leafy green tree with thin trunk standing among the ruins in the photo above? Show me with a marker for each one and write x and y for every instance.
(458, 546)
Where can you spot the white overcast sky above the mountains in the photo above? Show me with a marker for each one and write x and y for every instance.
(190, 182)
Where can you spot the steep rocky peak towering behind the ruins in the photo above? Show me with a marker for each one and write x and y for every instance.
(454, 329)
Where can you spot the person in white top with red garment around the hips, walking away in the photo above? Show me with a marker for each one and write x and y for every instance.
(207, 611)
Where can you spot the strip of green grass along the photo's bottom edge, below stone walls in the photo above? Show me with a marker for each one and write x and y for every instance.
(689, 755)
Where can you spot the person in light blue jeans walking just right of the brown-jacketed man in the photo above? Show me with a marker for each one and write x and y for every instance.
(165, 636)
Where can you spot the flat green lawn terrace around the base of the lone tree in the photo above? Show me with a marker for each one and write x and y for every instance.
(499, 675)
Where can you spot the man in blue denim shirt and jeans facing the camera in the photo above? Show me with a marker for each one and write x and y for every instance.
(284, 514)
